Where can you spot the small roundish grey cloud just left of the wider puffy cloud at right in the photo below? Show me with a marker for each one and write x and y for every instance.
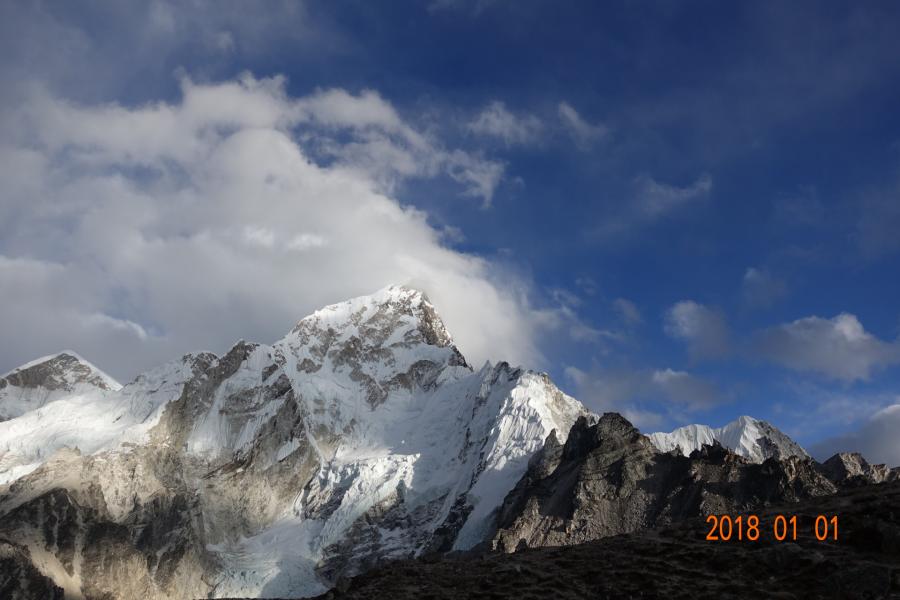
(703, 329)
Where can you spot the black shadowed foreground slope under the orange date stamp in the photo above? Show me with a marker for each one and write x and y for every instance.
(675, 562)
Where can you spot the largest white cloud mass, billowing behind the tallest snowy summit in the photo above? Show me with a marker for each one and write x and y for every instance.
(137, 234)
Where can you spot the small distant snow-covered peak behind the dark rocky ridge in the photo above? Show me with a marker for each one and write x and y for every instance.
(751, 438)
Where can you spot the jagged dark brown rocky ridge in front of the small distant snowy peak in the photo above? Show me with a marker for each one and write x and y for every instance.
(609, 479)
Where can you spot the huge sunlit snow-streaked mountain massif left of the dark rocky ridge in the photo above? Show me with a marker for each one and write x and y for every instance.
(361, 436)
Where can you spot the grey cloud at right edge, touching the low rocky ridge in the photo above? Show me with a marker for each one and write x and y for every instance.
(878, 439)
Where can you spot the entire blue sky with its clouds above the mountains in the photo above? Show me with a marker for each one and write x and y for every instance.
(683, 211)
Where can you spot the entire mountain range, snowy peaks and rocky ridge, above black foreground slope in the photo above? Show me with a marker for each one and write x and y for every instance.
(362, 436)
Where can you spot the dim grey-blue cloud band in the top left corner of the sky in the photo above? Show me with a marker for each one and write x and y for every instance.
(130, 48)
